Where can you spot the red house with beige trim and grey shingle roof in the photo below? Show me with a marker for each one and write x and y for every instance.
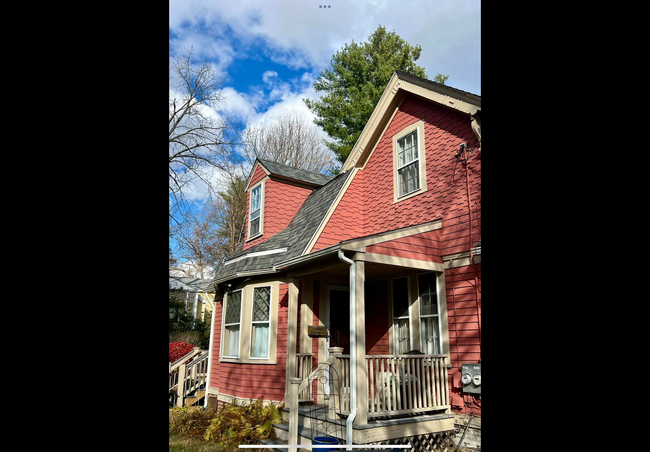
(392, 234)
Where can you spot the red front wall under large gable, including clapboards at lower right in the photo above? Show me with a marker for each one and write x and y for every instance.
(367, 208)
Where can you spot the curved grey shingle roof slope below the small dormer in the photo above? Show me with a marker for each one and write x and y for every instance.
(291, 241)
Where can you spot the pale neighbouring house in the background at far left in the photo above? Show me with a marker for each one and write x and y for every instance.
(196, 294)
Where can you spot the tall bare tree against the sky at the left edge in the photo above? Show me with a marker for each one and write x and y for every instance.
(200, 140)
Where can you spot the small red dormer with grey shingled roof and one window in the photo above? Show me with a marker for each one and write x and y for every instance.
(275, 192)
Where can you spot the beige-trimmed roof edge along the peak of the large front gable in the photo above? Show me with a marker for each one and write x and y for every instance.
(401, 84)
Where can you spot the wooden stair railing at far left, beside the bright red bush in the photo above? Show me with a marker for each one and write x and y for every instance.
(188, 379)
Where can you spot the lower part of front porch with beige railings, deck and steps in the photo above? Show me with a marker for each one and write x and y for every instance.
(407, 401)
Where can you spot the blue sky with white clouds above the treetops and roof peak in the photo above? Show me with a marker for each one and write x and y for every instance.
(270, 52)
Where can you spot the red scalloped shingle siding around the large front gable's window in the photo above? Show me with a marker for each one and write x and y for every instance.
(367, 207)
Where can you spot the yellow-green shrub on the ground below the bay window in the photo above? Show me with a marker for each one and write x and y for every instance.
(250, 424)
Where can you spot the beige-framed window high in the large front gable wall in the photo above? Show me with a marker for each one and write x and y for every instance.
(409, 162)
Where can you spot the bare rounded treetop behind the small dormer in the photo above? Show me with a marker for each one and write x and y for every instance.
(292, 140)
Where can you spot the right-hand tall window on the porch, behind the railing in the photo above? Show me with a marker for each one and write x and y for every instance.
(429, 316)
